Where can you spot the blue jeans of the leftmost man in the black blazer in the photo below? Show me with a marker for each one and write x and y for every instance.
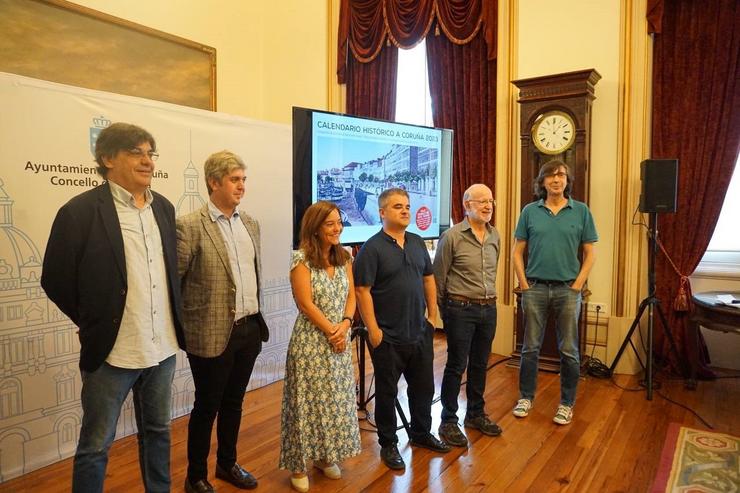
(103, 393)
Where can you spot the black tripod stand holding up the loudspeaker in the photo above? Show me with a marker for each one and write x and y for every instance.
(652, 304)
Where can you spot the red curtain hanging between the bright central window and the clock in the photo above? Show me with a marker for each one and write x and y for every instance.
(462, 82)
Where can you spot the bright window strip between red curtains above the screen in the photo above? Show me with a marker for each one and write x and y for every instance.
(413, 100)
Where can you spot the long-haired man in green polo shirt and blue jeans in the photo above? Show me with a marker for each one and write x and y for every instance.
(552, 230)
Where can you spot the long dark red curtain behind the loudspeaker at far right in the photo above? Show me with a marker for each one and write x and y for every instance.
(696, 118)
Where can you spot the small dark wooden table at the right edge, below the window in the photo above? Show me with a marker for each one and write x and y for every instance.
(709, 313)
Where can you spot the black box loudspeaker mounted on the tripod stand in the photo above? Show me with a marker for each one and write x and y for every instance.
(659, 185)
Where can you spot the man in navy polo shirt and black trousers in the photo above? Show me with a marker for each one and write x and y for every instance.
(395, 284)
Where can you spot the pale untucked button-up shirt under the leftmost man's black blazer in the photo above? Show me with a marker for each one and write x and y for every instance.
(147, 332)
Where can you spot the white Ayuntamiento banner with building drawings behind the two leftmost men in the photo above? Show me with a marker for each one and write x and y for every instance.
(40, 383)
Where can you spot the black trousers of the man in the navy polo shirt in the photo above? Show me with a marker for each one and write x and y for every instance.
(415, 363)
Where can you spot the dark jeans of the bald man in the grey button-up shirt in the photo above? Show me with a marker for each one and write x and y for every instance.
(470, 329)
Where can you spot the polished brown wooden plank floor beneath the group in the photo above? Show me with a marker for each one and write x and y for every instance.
(612, 445)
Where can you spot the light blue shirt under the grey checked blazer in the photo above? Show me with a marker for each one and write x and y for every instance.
(240, 248)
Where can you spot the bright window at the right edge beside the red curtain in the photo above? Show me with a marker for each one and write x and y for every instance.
(723, 253)
